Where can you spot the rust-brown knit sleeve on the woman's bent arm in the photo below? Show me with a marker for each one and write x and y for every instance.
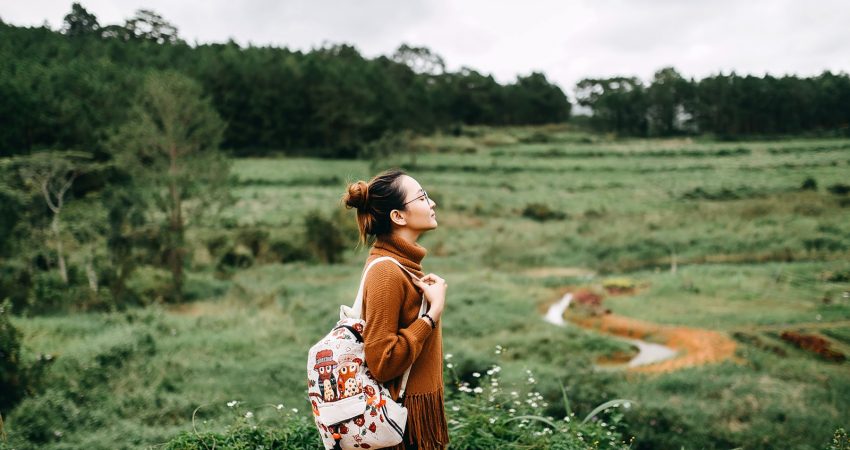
(389, 349)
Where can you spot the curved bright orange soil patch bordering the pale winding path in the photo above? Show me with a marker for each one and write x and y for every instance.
(696, 346)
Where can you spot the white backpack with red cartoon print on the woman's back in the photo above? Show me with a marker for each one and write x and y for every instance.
(352, 410)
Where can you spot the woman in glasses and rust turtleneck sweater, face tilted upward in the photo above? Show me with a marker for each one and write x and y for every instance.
(394, 210)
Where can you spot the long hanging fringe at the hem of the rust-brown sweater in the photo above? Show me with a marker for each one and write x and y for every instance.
(426, 420)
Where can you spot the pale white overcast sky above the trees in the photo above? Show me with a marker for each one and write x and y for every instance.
(567, 40)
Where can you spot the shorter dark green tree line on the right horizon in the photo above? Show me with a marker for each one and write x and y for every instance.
(726, 106)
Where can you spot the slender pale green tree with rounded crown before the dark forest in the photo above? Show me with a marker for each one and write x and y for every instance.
(170, 145)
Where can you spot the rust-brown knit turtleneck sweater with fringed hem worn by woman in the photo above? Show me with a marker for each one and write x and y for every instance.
(395, 338)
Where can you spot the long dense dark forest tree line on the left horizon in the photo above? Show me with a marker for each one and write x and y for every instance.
(66, 88)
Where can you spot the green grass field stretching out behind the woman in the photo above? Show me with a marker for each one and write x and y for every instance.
(523, 214)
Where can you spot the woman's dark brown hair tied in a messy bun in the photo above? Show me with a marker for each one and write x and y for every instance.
(374, 201)
